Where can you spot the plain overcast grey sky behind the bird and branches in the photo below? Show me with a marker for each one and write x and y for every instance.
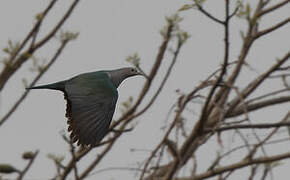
(111, 30)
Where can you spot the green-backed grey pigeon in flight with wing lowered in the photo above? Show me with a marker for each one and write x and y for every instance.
(91, 101)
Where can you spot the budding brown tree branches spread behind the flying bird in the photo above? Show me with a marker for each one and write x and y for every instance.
(226, 107)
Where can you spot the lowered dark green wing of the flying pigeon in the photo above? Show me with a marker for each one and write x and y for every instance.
(90, 108)
